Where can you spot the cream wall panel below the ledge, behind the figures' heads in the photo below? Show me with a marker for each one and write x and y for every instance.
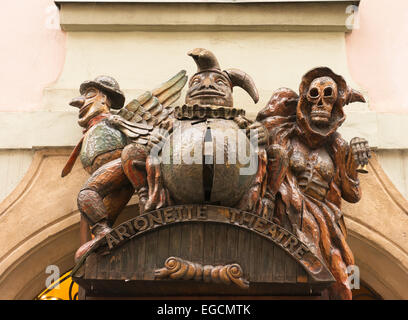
(142, 60)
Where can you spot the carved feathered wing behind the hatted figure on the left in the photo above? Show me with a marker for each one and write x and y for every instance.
(140, 116)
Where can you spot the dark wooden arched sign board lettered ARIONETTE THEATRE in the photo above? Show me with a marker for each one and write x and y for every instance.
(273, 261)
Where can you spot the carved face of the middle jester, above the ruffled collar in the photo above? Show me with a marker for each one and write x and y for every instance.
(209, 88)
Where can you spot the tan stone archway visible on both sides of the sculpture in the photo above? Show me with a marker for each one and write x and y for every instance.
(40, 226)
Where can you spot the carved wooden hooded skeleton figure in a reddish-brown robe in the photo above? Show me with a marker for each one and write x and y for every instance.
(310, 167)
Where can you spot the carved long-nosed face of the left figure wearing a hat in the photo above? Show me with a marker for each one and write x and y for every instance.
(91, 103)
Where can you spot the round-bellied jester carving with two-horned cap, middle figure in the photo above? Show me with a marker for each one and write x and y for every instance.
(208, 111)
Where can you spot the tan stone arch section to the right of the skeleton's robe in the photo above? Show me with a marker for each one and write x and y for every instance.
(378, 234)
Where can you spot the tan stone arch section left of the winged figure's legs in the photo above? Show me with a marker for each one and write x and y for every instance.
(40, 225)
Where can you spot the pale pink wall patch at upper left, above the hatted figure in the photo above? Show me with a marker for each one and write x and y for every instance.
(32, 52)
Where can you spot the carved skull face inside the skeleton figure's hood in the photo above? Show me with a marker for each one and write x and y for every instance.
(322, 95)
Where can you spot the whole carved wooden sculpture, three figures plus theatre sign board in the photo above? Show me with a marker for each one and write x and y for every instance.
(292, 197)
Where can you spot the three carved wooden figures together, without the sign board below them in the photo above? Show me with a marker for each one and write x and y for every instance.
(170, 155)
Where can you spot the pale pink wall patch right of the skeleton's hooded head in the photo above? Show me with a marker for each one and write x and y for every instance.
(377, 53)
